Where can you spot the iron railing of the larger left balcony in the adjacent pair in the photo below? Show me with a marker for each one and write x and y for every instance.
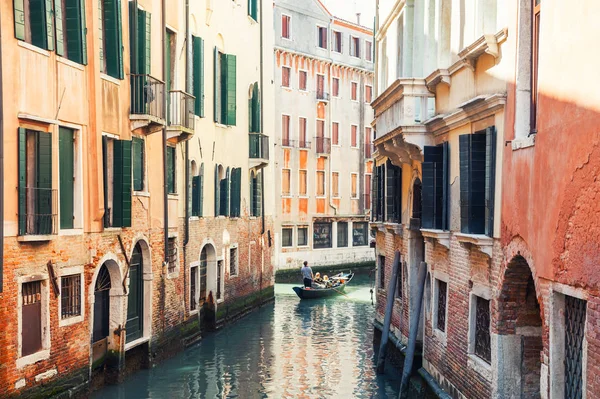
(147, 96)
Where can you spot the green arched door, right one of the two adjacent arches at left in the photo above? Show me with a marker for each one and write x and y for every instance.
(135, 299)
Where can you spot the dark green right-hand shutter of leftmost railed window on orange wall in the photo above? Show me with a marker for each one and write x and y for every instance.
(44, 215)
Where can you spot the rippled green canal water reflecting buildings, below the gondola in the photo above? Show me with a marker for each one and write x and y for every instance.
(287, 349)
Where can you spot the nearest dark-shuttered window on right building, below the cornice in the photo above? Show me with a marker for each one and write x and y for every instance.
(477, 177)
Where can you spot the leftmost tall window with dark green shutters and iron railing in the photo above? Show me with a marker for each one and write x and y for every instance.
(37, 199)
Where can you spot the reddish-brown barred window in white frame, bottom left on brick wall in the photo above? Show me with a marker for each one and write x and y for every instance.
(31, 331)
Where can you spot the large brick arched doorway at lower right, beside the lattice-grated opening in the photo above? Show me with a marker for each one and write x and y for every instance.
(519, 332)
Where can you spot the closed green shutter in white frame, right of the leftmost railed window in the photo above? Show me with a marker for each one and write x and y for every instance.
(66, 168)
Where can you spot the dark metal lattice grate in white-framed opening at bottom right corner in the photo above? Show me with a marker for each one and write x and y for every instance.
(575, 312)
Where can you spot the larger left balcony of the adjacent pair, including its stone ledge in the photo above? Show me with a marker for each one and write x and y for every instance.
(147, 103)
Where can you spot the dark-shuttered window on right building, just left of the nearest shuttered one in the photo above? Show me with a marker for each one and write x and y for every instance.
(436, 187)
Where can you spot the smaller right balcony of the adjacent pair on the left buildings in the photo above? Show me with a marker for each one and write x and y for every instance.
(181, 118)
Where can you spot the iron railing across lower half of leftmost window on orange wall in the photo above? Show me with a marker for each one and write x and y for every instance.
(38, 211)
